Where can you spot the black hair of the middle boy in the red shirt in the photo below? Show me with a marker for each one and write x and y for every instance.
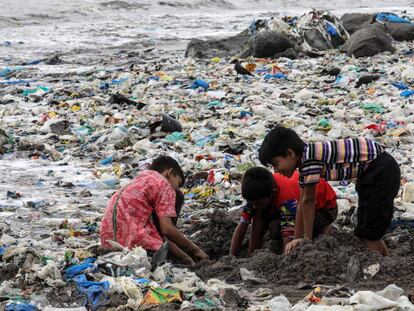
(257, 183)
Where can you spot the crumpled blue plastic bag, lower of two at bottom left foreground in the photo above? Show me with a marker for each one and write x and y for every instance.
(95, 291)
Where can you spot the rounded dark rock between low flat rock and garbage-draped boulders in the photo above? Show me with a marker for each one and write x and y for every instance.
(267, 43)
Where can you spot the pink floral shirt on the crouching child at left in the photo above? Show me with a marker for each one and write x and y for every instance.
(149, 192)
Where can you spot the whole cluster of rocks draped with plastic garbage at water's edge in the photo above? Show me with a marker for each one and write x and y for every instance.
(311, 34)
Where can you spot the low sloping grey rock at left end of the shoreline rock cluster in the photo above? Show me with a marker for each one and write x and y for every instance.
(218, 47)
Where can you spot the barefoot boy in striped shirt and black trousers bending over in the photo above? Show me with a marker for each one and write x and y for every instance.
(376, 172)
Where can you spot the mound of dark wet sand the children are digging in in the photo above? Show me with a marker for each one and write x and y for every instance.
(336, 259)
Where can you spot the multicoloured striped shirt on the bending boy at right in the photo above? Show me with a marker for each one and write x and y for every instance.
(342, 159)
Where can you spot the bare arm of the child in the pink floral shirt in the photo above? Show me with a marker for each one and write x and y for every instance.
(168, 230)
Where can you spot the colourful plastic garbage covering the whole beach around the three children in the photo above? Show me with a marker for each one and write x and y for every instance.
(70, 136)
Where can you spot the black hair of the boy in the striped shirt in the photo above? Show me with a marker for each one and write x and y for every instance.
(277, 142)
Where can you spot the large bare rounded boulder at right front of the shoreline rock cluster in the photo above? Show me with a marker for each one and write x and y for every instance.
(368, 42)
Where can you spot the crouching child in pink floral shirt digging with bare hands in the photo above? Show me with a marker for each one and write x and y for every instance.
(144, 212)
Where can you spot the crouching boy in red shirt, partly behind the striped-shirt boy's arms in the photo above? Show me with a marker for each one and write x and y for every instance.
(272, 200)
